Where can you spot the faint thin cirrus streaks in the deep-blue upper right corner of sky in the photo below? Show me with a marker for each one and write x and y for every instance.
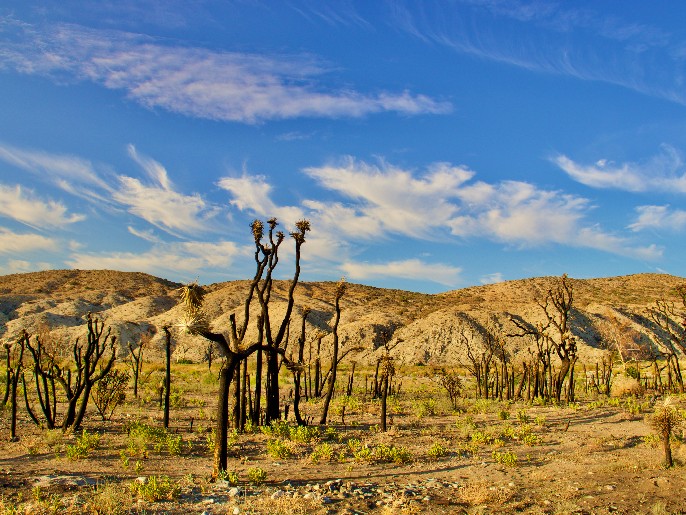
(553, 37)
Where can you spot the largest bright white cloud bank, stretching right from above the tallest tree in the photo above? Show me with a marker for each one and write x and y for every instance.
(384, 201)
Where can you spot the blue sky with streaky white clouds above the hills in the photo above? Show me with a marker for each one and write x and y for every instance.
(432, 145)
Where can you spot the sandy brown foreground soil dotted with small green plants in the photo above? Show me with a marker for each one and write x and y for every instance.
(590, 458)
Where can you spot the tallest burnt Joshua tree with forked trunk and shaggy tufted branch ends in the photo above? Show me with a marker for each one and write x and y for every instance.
(233, 347)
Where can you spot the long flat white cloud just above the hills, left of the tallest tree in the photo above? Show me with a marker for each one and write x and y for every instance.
(163, 259)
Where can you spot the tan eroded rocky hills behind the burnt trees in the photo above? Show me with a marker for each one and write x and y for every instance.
(422, 328)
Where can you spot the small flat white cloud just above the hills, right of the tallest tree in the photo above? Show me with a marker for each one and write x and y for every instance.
(413, 269)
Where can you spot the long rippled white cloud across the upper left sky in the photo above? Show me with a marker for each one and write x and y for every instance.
(226, 86)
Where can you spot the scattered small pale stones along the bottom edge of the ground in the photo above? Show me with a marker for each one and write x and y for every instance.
(343, 496)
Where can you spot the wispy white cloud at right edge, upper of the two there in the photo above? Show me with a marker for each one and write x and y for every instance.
(664, 172)
